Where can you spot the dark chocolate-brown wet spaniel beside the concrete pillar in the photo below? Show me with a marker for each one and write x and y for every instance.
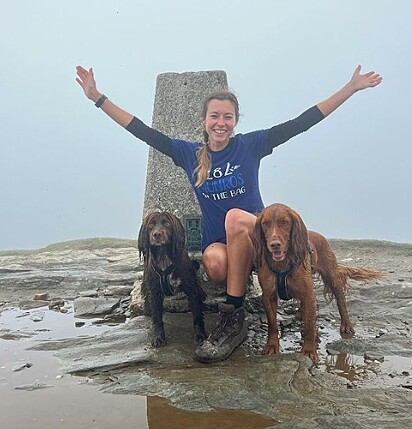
(167, 269)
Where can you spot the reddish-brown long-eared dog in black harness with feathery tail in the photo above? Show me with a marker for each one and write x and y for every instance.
(287, 256)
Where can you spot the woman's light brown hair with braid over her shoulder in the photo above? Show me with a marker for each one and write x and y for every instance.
(202, 154)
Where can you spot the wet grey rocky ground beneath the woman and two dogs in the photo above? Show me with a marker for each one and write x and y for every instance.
(364, 381)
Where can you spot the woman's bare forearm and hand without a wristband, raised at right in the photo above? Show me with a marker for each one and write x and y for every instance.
(357, 83)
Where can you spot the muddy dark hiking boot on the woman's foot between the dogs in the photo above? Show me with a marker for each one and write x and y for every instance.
(229, 333)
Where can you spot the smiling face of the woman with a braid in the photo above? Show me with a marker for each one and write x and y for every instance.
(219, 123)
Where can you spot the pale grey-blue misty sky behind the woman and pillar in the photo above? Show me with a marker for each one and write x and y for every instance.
(68, 172)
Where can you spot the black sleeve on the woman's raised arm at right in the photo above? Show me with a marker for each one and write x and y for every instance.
(283, 132)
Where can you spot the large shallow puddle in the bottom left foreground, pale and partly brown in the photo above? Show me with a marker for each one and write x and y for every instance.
(71, 401)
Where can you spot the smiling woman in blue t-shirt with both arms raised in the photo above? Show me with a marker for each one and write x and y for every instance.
(223, 172)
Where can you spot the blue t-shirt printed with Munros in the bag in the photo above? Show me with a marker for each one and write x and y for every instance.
(233, 181)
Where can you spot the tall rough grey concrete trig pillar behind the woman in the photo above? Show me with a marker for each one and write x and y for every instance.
(177, 113)
